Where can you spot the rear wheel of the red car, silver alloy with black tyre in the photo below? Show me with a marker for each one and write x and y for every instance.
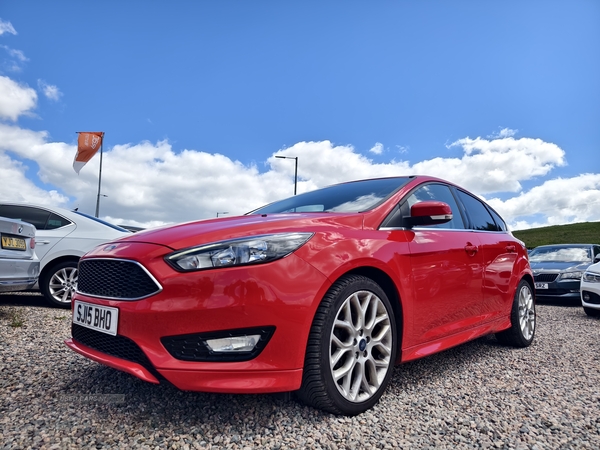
(522, 318)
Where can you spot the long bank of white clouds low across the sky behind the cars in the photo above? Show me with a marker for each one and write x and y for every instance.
(149, 184)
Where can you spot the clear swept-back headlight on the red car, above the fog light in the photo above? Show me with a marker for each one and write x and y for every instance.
(236, 252)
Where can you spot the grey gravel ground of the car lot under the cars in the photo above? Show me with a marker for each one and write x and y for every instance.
(479, 395)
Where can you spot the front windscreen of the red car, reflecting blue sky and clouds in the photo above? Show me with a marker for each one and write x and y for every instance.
(356, 196)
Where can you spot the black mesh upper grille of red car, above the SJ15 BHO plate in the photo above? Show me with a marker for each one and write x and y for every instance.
(115, 279)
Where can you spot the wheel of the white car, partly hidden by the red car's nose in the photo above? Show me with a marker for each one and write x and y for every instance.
(59, 283)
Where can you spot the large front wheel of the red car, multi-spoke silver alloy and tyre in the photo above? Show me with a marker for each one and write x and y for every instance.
(351, 348)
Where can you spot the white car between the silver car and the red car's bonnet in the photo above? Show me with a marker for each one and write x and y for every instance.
(62, 237)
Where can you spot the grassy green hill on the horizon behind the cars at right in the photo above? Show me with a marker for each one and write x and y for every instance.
(576, 233)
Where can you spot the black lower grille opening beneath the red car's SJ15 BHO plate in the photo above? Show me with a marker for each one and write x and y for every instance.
(117, 346)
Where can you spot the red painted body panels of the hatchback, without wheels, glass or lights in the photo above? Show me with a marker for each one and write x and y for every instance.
(448, 287)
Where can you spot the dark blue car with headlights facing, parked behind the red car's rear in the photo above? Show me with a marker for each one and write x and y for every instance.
(557, 269)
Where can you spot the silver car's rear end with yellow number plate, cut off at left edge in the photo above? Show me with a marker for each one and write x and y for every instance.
(19, 265)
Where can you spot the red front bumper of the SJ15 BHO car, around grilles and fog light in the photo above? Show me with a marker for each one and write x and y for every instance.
(283, 294)
